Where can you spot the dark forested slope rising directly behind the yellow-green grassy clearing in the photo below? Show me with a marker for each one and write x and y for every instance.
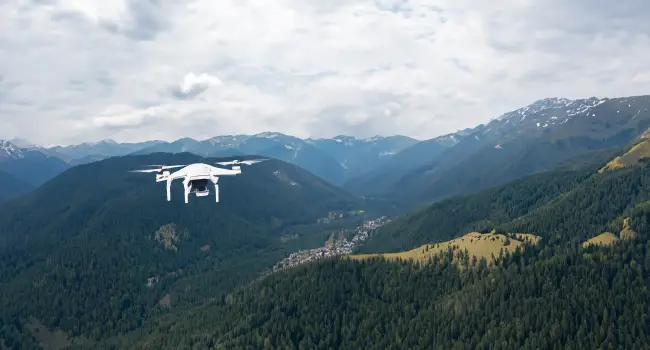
(479, 212)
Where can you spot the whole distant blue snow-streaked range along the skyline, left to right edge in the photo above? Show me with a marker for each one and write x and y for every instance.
(542, 136)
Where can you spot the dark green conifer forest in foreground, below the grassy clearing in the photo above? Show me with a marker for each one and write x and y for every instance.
(554, 297)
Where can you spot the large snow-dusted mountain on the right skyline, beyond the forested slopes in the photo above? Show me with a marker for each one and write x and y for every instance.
(535, 138)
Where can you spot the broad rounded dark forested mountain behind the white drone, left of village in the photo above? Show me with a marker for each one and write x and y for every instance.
(103, 242)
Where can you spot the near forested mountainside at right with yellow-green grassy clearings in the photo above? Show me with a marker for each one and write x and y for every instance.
(562, 292)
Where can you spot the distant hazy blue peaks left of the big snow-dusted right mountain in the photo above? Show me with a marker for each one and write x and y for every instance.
(334, 160)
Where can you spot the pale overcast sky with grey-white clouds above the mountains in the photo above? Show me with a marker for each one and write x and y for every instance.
(73, 71)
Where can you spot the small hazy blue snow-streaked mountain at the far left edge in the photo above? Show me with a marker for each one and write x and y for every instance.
(29, 164)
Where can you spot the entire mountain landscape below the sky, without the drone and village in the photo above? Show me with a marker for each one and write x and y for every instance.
(92, 255)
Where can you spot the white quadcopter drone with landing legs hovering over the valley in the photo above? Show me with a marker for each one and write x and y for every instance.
(196, 176)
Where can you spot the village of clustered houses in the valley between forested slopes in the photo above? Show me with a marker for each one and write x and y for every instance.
(334, 246)
